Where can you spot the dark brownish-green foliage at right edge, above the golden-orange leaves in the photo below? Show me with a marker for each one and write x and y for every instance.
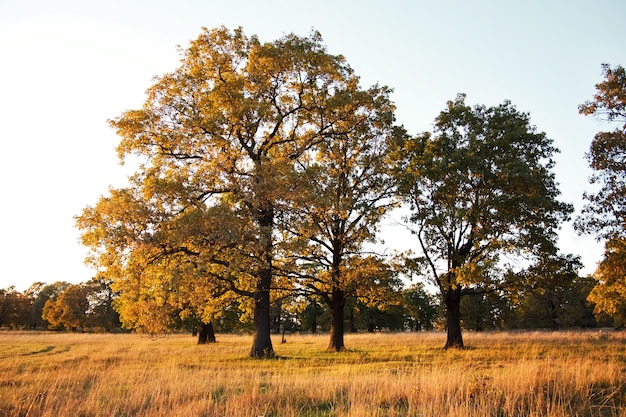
(605, 212)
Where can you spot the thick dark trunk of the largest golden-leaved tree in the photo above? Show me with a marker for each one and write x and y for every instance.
(261, 341)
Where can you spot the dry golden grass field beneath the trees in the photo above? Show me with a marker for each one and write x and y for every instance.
(499, 374)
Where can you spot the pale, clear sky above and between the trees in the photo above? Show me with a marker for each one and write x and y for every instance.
(66, 67)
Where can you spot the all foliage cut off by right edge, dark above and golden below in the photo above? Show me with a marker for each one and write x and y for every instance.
(605, 213)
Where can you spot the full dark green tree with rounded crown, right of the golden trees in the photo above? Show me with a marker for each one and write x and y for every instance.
(479, 187)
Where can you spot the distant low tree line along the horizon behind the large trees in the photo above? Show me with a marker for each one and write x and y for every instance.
(90, 307)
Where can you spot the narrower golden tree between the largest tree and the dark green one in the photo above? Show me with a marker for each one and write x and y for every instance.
(346, 189)
